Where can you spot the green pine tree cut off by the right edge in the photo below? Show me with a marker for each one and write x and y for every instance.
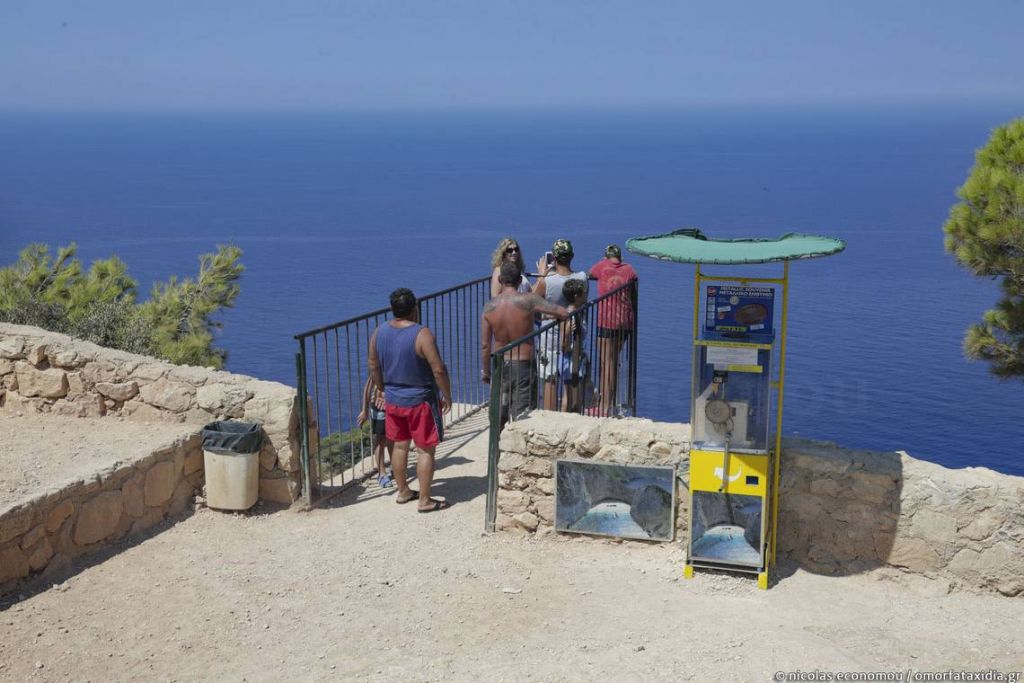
(986, 233)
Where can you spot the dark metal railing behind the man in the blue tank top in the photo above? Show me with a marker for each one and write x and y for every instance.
(332, 372)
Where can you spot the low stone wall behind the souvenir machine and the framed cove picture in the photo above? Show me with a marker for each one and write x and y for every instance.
(841, 511)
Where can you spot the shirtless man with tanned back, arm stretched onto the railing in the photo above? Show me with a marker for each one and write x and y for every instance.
(507, 318)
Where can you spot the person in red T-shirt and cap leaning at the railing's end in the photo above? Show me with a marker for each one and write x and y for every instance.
(615, 321)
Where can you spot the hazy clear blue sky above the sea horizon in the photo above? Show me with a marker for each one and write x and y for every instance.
(295, 55)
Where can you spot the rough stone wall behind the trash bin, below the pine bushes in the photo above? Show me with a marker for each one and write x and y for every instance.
(45, 372)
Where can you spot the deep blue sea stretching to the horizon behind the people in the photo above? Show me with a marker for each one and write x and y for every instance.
(333, 211)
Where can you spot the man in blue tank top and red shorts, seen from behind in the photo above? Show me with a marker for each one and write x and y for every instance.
(405, 364)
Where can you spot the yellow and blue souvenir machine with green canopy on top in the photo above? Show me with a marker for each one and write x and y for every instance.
(739, 370)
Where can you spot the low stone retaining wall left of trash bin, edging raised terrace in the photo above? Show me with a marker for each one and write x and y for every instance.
(46, 533)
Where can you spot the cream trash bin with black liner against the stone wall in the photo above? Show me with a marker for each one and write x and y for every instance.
(231, 456)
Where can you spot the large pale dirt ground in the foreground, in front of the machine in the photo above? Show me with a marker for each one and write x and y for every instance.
(370, 590)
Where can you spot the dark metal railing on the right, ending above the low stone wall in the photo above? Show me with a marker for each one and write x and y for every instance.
(586, 364)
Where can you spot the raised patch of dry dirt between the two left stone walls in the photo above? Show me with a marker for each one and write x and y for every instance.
(39, 452)
